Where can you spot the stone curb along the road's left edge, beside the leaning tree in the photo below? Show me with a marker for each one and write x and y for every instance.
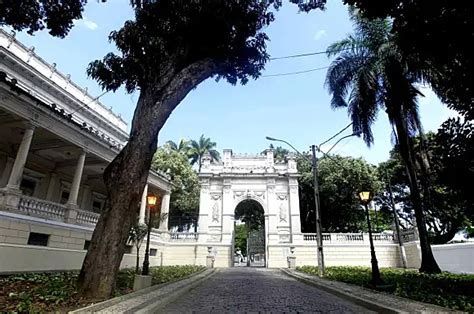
(114, 301)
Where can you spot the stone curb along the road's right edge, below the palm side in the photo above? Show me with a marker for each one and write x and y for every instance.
(393, 304)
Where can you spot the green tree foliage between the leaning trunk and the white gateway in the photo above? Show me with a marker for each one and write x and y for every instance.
(185, 190)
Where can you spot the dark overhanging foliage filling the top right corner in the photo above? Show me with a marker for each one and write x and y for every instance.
(415, 25)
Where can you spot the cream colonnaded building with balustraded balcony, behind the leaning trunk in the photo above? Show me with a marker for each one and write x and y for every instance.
(55, 142)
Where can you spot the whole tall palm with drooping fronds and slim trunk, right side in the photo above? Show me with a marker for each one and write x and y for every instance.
(372, 75)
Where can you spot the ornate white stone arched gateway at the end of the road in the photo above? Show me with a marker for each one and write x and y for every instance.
(237, 178)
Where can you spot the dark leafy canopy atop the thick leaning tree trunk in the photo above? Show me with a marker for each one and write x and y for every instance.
(167, 36)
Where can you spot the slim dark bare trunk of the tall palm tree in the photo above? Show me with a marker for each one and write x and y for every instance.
(428, 262)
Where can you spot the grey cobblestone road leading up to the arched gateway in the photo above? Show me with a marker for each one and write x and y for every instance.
(253, 290)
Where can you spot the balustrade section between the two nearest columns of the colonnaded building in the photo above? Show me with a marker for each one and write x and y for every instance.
(41, 208)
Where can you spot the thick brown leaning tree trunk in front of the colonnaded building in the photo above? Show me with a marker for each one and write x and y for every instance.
(126, 176)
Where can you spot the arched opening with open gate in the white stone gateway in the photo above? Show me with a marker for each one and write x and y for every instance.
(249, 234)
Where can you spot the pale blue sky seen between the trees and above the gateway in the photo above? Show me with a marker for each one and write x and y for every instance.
(295, 108)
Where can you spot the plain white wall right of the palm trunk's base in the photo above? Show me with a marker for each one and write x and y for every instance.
(455, 258)
